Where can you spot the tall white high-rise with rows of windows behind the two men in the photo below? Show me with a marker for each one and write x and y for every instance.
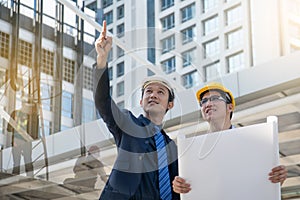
(193, 42)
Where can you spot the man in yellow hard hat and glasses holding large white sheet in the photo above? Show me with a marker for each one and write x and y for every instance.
(217, 105)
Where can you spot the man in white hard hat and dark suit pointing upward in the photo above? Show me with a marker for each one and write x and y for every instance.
(136, 173)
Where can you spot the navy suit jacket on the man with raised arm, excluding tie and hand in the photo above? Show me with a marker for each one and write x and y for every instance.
(135, 174)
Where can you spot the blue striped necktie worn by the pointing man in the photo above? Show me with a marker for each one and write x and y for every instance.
(163, 171)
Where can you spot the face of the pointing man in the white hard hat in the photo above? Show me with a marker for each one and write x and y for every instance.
(155, 99)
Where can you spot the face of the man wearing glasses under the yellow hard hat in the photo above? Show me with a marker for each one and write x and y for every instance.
(215, 109)
